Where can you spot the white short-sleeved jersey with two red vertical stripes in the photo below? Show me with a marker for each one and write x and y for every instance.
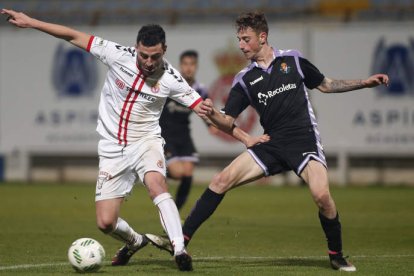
(131, 104)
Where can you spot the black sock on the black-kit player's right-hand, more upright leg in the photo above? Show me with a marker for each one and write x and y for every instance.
(332, 229)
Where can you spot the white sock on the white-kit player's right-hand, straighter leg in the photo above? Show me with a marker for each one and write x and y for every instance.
(170, 220)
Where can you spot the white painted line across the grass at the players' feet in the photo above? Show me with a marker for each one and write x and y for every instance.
(27, 266)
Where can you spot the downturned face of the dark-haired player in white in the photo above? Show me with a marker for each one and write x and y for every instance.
(150, 59)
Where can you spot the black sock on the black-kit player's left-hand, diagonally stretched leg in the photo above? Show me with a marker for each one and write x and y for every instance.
(203, 209)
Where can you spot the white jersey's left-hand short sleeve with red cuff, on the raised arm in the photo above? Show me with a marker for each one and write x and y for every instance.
(106, 51)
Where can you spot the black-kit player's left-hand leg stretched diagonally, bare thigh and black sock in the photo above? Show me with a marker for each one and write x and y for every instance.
(242, 170)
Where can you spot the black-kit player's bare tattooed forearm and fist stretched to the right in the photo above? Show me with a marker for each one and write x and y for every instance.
(339, 86)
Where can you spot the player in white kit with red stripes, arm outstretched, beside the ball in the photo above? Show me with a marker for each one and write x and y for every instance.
(137, 85)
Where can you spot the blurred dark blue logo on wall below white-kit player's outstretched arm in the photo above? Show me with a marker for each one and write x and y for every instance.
(74, 72)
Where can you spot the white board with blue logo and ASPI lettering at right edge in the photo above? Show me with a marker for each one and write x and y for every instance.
(373, 121)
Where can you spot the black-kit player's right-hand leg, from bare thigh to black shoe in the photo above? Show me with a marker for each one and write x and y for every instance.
(316, 175)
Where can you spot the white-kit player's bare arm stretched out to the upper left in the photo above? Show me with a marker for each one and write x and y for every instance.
(21, 20)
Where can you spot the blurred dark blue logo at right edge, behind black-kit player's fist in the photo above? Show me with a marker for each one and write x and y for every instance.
(397, 61)
